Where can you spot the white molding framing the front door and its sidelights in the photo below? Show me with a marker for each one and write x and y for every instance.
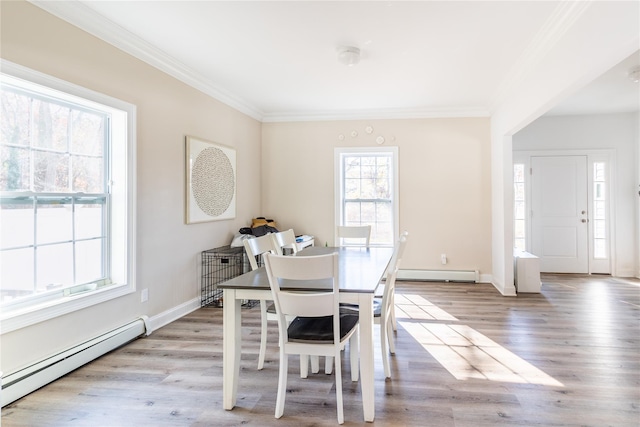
(595, 155)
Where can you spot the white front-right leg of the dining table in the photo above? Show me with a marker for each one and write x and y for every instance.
(367, 369)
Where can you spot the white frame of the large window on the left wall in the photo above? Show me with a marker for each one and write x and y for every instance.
(122, 243)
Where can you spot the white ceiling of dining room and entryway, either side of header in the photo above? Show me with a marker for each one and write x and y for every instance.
(278, 60)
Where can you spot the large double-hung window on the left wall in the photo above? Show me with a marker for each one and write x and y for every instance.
(66, 197)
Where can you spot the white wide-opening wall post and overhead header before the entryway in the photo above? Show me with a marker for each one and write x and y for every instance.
(584, 40)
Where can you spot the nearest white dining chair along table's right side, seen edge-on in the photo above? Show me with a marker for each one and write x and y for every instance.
(384, 306)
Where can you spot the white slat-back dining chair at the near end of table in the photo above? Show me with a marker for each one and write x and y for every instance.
(318, 329)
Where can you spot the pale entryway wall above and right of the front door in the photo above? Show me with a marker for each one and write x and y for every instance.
(617, 132)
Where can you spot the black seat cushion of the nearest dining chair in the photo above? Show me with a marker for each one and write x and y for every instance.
(316, 329)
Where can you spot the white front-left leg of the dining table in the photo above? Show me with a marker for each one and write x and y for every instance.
(231, 348)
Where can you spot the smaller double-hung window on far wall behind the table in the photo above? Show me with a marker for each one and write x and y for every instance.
(367, 191)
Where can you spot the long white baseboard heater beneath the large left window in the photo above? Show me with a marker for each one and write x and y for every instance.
(20, 383)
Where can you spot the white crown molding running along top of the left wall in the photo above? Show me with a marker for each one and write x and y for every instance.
(85, 18)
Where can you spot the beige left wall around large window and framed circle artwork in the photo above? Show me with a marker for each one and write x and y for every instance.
(167, 249)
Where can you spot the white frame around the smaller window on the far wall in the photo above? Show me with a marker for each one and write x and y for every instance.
(339, 179)
